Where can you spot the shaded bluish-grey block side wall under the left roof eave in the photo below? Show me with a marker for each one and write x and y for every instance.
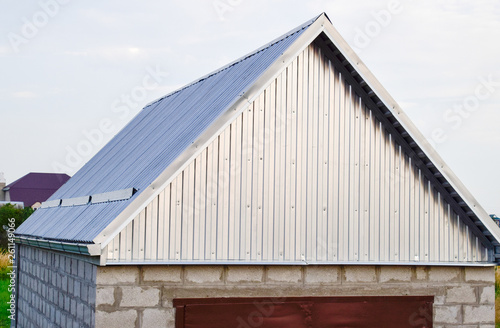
(54, 289)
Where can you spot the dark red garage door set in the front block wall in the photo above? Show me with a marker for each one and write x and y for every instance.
(310, 312)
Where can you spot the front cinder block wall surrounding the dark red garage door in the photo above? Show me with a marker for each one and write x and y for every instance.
(141, 296)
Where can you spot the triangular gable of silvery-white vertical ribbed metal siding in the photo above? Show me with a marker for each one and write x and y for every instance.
(306, 173)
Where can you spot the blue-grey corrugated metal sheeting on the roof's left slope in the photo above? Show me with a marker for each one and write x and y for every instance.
(149, 144)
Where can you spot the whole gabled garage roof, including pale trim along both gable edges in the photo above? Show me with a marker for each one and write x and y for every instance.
(171, 131)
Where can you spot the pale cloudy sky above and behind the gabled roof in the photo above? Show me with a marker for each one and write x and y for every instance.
(73, 73)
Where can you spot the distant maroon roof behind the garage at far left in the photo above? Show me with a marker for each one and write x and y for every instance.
(36, 187)
